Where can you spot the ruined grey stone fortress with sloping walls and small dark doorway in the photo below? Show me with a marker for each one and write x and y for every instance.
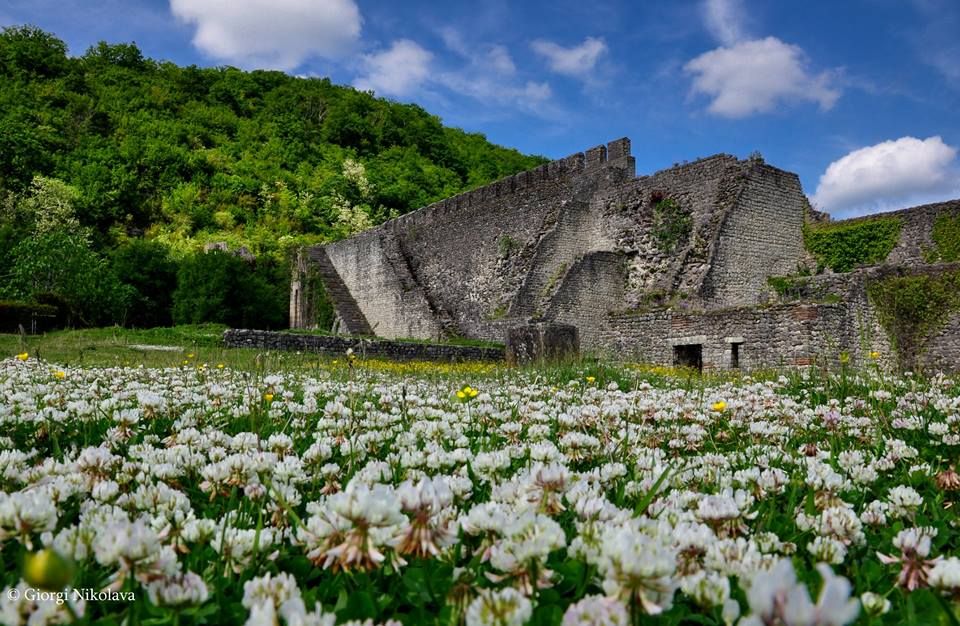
(672, 268)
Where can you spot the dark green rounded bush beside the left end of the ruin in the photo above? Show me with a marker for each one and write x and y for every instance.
(221, 288)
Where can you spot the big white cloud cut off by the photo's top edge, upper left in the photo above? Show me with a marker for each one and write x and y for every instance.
(276, 34)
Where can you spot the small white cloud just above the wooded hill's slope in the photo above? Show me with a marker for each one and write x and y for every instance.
(397, 71)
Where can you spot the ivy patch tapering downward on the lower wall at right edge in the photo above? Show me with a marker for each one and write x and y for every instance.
(912, 309)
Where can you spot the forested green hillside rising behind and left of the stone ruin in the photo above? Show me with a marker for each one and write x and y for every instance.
(116, 169)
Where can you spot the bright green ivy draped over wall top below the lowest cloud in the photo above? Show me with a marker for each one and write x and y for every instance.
(844, 246)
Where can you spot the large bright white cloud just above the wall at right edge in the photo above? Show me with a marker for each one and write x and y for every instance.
(888, 175)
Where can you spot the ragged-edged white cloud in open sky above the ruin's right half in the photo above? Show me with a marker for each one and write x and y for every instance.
(754, 76)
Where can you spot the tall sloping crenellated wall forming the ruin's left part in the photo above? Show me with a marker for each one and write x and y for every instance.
(459, 267)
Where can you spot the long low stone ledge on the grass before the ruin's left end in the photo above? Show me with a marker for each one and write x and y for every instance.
(371, 347)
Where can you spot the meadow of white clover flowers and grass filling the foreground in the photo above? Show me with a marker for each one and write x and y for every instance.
(157, 478)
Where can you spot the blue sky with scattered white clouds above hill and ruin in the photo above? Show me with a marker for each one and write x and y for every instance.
(859, 97)
